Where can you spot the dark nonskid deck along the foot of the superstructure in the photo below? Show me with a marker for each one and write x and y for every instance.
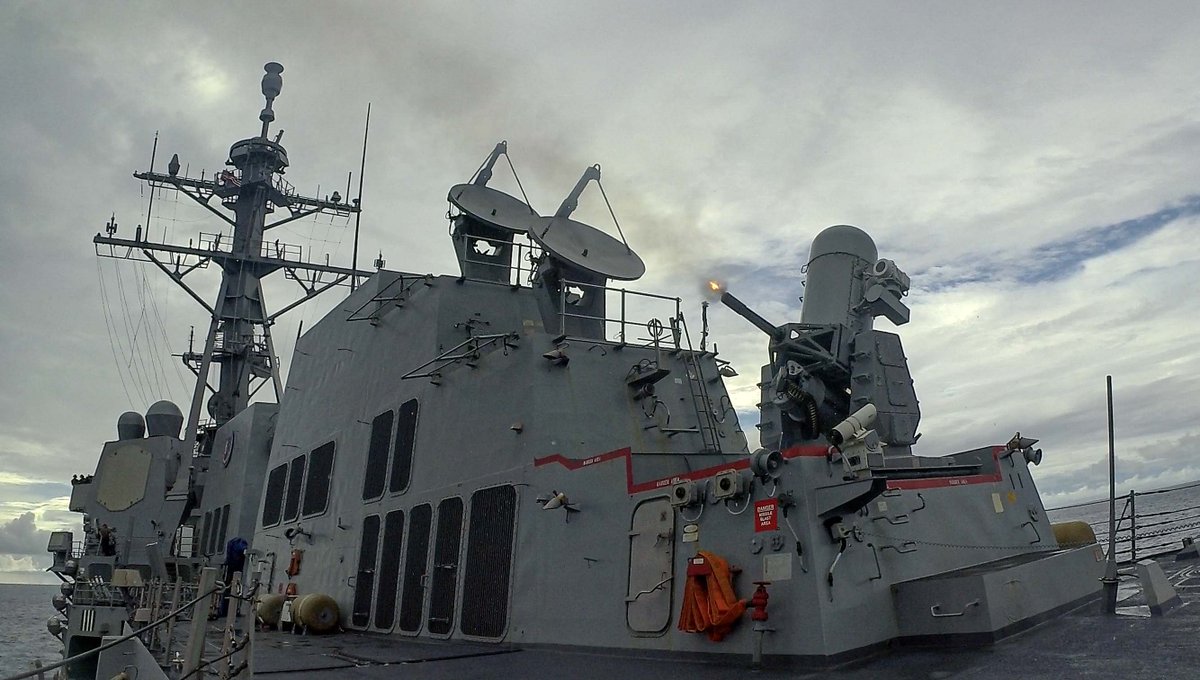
(1084, 643)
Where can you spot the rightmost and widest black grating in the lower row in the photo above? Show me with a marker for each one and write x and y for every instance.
(488, 570)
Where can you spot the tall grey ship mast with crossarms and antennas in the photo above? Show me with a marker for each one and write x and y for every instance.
(239, 336)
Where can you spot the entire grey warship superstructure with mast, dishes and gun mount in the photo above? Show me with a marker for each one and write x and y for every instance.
(529, 455)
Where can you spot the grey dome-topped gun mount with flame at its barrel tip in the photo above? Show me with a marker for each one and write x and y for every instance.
(833, 364)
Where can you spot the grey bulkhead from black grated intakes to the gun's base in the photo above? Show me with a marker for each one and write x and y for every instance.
(511, 417)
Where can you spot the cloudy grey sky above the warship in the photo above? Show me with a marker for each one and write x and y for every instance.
(1033, 166)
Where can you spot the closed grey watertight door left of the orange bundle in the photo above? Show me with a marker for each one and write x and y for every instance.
(651, 567)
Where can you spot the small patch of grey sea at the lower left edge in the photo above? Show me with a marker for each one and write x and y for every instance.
(23, 637)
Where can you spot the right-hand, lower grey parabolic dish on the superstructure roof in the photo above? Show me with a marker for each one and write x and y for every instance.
(587, 249)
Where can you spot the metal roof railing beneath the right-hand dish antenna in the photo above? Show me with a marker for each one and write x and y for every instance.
(622, 330)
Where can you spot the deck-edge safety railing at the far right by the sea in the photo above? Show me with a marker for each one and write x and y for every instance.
(1147, 528)
